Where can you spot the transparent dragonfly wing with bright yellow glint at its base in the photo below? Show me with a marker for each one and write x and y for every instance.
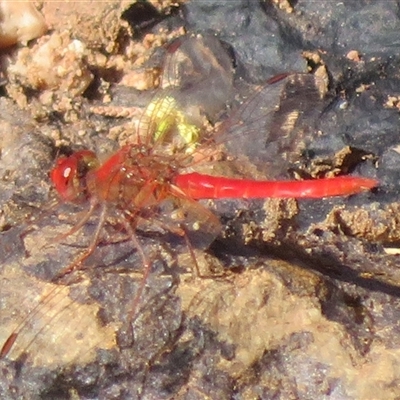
(197, 83)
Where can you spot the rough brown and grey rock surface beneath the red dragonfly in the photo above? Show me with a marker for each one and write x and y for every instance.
(301, 298)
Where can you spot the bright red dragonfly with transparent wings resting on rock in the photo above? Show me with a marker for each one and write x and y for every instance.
(146, 180)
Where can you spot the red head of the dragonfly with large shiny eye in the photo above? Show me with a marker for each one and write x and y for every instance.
(69, 175)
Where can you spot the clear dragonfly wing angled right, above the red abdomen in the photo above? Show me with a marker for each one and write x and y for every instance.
(273, 127)
